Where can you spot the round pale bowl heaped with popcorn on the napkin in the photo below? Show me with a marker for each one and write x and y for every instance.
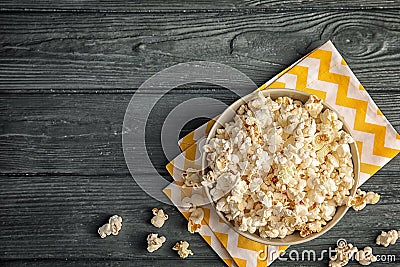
(280, 167)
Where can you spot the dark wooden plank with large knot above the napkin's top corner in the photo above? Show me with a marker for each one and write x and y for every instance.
(67, 51)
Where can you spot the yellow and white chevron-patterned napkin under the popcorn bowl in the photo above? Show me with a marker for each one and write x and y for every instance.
(322, 72)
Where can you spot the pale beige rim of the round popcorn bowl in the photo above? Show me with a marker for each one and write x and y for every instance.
(281, 241)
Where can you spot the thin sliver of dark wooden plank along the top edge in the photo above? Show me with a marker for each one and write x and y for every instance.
(192, 5)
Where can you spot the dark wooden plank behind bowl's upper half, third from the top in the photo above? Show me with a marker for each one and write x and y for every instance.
(81, 134)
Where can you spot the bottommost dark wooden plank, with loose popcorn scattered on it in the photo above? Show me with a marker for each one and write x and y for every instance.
(56, 217)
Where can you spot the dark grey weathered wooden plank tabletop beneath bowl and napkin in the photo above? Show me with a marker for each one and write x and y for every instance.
(68, 70)
